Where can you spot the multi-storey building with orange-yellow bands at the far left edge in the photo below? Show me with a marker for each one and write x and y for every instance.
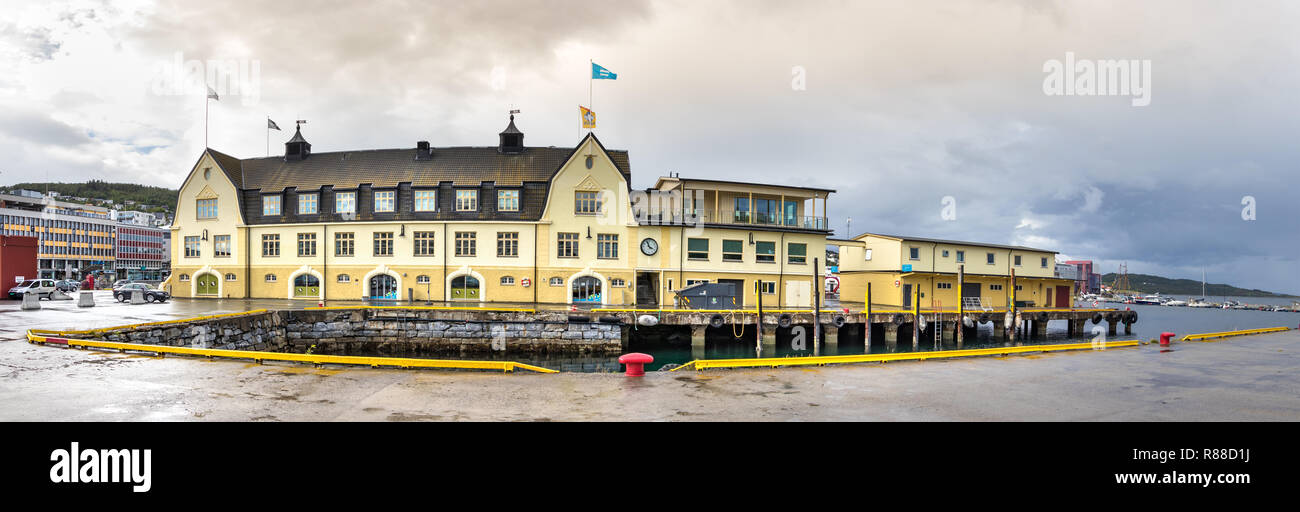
(72, 238)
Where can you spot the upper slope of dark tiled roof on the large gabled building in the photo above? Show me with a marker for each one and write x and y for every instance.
(387, 168)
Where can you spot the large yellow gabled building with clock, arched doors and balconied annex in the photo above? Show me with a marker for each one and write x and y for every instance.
(501, 224)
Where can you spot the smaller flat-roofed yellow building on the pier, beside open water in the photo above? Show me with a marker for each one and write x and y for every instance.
(898, 266)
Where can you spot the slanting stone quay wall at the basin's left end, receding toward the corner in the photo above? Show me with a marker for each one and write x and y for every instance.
(259, 332)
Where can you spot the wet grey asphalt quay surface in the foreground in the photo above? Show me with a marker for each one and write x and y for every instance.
(1247, 379)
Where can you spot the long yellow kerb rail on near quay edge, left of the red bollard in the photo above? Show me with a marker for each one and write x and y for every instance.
(285, 357)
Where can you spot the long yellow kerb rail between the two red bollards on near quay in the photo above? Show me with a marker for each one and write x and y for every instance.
(903, 357)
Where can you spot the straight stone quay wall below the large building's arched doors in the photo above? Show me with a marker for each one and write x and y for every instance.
(415, 332)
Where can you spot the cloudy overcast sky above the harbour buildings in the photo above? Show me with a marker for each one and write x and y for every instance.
(904, 103)
